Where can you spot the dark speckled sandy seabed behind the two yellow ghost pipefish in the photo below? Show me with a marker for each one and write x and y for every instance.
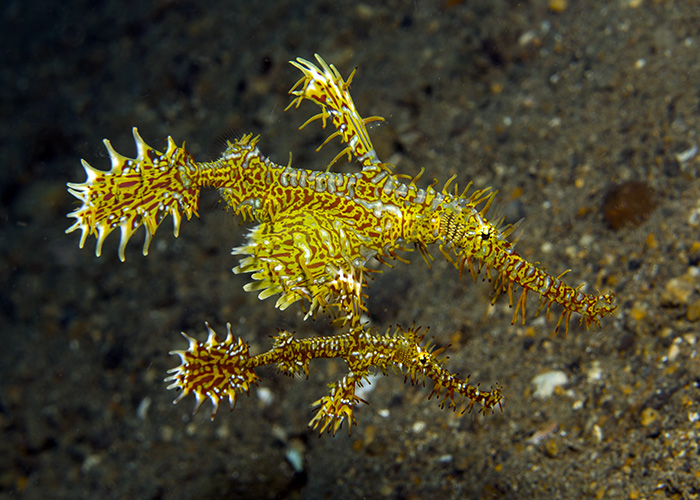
(552, 105)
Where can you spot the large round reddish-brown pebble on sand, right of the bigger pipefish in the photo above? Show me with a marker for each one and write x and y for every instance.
(628, 204)
